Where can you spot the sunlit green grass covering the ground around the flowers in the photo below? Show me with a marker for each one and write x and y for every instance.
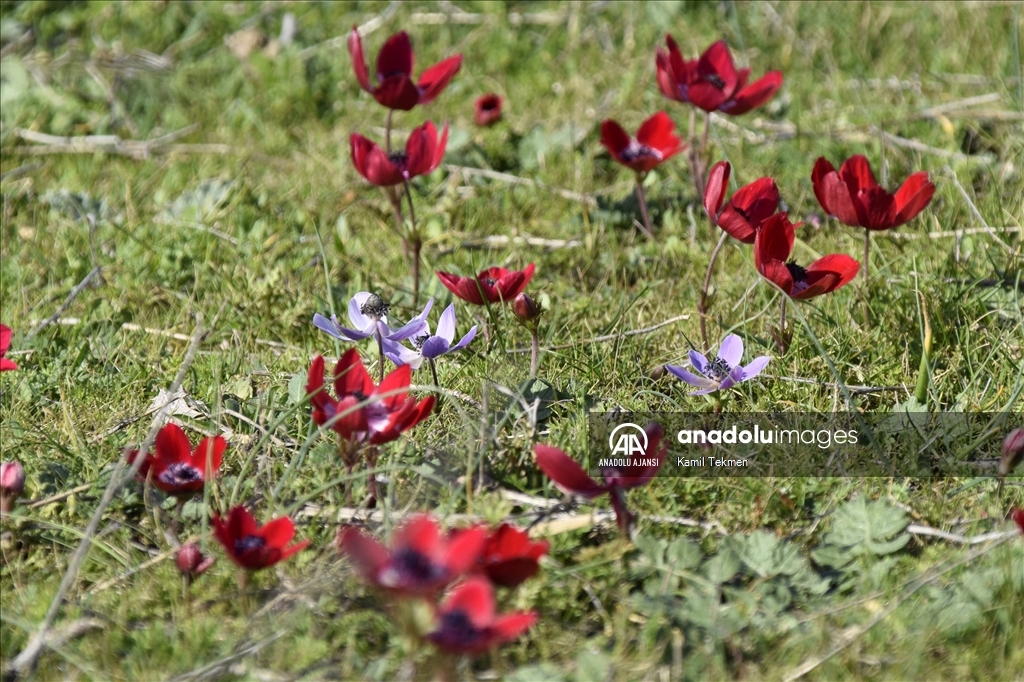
(246, 237)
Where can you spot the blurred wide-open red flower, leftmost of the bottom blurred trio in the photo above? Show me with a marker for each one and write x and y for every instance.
(420, 563)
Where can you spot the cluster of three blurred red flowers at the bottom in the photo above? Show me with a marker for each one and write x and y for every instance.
(422, 563)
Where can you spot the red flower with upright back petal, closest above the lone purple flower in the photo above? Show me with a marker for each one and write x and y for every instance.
(772, 250)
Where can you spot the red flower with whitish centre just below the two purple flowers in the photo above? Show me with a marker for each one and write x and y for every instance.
(389, 410)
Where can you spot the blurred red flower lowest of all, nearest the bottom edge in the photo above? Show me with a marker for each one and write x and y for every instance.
(470, 625)
